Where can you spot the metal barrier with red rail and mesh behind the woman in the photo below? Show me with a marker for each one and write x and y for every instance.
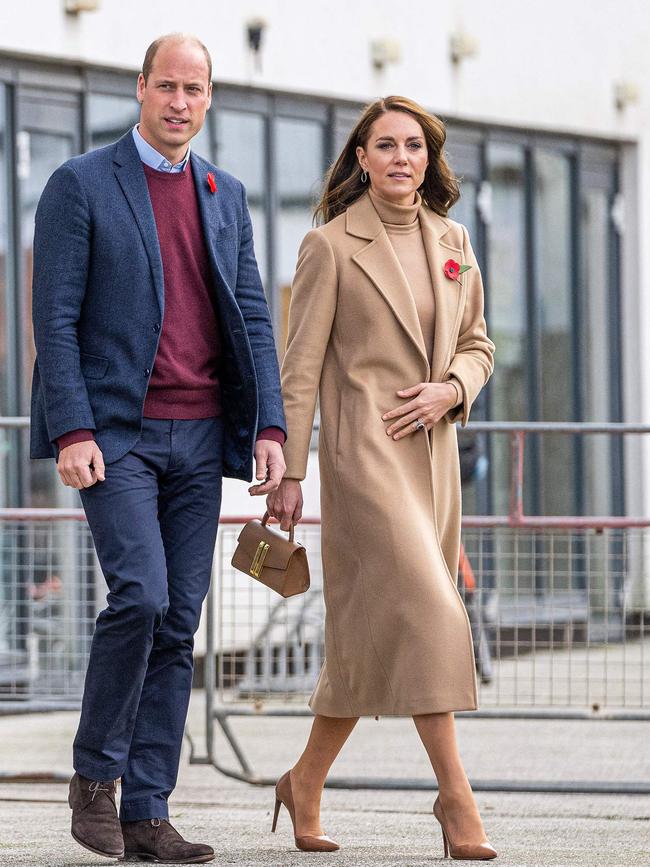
(555, 635)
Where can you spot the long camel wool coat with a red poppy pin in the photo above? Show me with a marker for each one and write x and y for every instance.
(397, 635)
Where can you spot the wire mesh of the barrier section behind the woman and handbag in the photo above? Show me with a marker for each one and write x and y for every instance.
(552, 611)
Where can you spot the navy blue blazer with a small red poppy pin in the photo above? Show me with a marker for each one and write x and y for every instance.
(98, 302)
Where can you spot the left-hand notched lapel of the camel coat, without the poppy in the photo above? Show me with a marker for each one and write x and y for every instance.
(381, 265)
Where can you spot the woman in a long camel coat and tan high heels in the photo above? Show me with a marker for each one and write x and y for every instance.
(386, 326)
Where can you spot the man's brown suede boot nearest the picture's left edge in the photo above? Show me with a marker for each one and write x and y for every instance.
(95, 824)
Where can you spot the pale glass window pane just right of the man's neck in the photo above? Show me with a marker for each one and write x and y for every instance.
(240, 151)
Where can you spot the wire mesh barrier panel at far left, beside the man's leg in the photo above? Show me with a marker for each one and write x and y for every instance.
(49, 595)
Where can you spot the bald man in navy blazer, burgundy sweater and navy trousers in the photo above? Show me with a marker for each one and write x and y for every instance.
(155, 373)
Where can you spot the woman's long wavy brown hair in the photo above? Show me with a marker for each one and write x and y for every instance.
(343, 184)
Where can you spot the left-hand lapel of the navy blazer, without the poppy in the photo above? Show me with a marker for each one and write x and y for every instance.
(131, 177)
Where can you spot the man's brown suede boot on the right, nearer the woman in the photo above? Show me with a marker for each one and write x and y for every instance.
(156, 840)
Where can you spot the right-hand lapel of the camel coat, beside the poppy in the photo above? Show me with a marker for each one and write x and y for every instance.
(448, 294)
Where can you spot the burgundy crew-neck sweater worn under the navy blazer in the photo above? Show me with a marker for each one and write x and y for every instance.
(184, 383)
